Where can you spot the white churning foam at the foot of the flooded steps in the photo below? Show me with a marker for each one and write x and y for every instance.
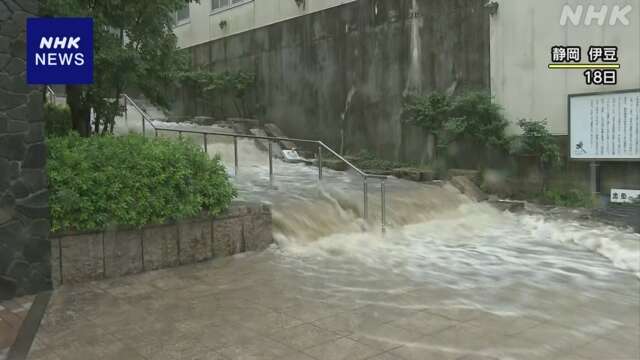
(476, 244)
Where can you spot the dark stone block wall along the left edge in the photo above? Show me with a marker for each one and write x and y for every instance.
(24, 213)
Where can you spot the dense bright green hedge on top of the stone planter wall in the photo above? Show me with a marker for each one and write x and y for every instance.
(99, 182)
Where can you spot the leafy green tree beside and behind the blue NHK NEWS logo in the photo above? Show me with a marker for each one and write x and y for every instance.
(134, 48)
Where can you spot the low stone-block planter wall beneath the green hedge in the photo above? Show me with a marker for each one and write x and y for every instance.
(83, 257)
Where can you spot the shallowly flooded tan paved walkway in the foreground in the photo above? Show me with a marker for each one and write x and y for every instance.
(253, 307)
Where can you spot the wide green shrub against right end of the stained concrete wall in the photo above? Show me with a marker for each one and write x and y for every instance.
(471, 116)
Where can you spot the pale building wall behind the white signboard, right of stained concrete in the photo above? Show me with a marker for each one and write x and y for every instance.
(522, 34)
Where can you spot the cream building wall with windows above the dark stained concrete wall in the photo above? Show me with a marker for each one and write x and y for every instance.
(204, 24)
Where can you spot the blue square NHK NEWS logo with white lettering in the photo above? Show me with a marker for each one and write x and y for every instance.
(59, 50)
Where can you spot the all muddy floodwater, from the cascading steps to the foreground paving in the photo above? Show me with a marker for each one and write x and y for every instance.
(450, 279)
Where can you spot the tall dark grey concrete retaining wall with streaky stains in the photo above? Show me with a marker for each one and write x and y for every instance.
(341, 73)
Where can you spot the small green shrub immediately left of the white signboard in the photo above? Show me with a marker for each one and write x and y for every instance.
(536, 140)
